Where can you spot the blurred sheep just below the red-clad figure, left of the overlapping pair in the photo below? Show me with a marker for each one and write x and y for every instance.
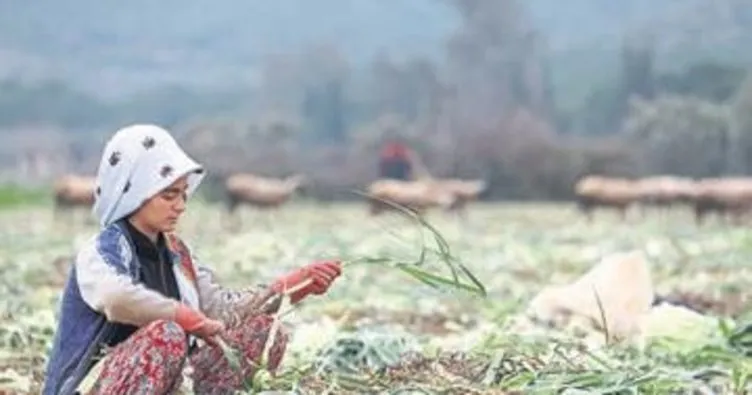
(416, 195)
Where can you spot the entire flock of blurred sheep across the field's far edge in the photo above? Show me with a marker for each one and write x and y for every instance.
(726, 197)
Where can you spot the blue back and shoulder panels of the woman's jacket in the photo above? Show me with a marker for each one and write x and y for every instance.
(81, 331)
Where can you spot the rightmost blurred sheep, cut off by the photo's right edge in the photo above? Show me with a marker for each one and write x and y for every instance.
(732, 195)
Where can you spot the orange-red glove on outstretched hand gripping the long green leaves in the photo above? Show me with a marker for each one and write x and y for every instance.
(320, 274)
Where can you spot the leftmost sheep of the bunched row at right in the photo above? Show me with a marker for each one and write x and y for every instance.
(598, 191)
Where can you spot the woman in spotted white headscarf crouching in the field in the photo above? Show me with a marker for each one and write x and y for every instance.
(137, 294)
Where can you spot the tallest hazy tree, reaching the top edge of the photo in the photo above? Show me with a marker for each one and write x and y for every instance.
(494, 61)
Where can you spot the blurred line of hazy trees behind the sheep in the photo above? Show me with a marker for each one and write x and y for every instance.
(489, 109)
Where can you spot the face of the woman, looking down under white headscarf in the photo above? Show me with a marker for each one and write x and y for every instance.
(162, 211)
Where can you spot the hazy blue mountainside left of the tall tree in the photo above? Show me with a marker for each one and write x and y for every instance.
(128, 45)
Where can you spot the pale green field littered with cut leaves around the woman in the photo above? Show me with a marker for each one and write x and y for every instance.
(379, 330)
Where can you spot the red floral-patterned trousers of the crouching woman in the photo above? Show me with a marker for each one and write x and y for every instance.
(151, 361)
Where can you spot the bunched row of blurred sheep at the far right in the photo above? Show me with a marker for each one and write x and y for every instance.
(724, 196)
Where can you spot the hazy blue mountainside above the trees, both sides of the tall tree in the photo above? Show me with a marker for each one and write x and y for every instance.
(112, 46)
